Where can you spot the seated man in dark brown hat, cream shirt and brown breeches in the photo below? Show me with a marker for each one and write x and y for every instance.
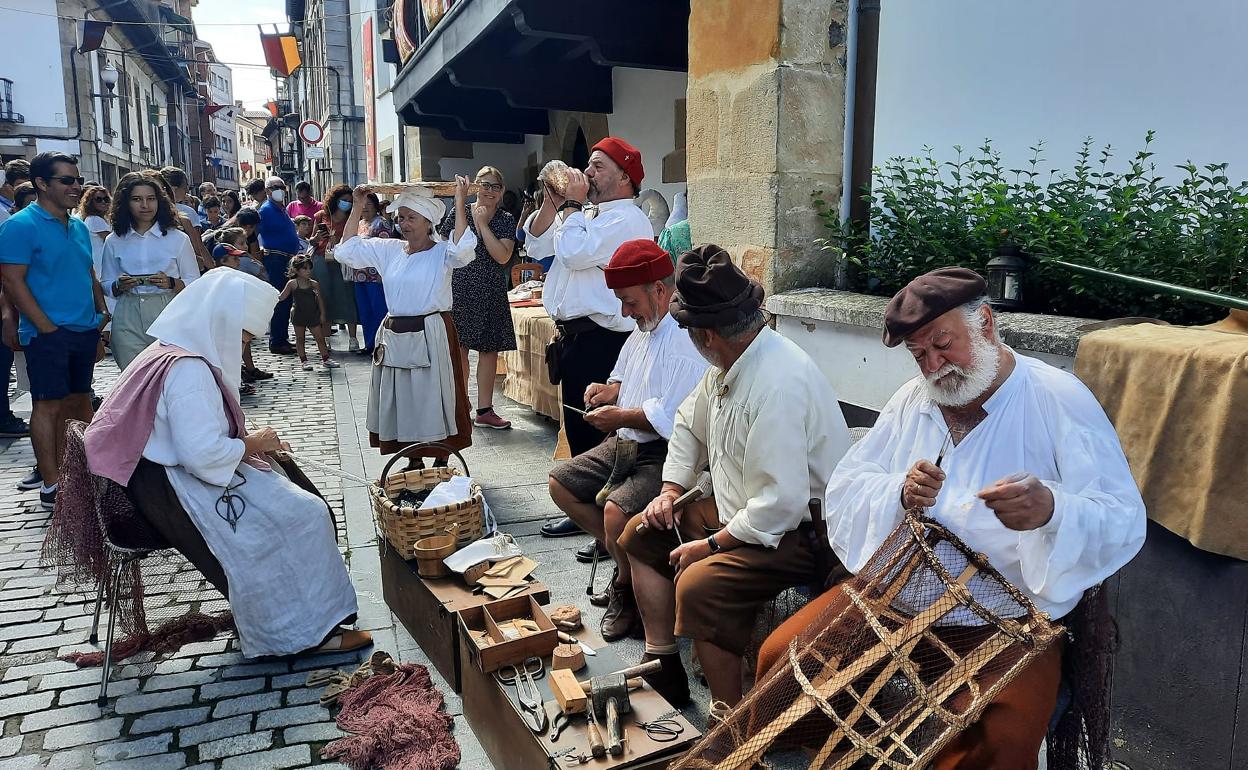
(768, 425)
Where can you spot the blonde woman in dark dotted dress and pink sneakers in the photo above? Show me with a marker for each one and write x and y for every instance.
(484, 318)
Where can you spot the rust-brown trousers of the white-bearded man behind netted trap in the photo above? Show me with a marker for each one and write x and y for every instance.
(1008, 734)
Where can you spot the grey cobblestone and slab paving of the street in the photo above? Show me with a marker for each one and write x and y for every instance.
(208, 707)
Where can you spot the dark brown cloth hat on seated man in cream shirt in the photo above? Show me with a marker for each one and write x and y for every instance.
(713, 291)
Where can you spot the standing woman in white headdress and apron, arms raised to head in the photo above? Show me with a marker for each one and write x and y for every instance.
(420, 387)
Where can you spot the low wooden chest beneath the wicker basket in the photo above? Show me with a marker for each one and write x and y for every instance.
(427, 608)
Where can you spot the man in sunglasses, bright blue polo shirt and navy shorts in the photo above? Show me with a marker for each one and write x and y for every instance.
(46, 264)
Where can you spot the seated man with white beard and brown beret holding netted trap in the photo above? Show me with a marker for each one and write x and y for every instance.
(1033, 476)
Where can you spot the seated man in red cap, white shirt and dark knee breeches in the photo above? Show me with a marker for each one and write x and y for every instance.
(655, 373)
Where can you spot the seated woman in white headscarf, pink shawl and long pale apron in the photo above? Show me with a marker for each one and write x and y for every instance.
(173, 425)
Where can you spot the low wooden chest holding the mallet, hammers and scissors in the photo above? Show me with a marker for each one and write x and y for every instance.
(492, 711)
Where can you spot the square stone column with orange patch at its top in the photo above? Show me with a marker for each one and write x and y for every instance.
(766, 129)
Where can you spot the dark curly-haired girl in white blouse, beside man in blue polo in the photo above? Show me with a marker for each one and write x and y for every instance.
(147, 261)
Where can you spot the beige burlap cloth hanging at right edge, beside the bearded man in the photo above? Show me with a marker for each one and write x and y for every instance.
(1179, 399)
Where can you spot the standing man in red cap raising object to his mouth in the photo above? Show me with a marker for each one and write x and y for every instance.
(592, 329)
